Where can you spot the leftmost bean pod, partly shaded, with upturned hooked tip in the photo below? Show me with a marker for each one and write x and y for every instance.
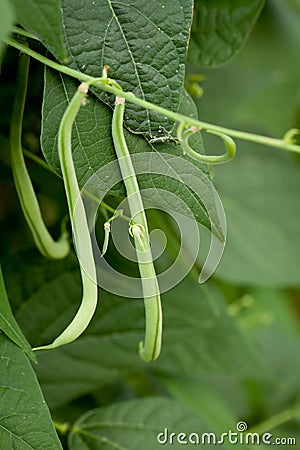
(43, 240)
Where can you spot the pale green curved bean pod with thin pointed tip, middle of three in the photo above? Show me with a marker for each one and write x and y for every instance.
(79, 226)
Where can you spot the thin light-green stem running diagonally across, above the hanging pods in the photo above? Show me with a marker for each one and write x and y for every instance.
(109, 85)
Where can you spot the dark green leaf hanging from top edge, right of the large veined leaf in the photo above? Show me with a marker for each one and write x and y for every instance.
(220, 29)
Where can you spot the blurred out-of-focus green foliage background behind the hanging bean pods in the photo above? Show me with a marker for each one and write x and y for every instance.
(231, 347)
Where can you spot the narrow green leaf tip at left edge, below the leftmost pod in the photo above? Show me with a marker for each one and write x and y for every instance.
(8, 323)
